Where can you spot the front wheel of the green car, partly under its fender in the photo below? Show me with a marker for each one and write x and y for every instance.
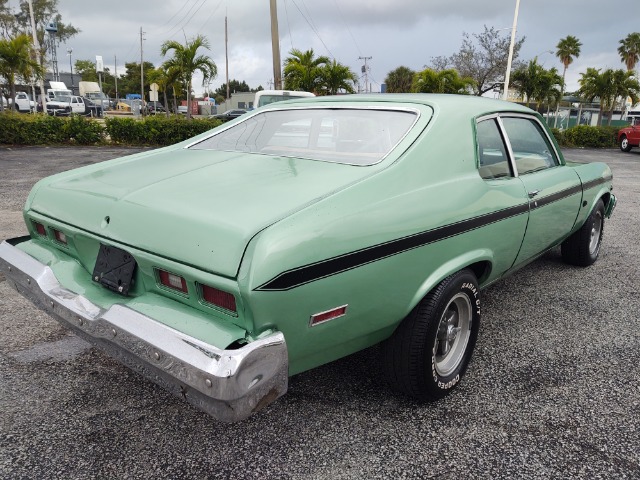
(582, 248)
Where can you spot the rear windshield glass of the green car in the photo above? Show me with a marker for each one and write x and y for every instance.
(350, 136)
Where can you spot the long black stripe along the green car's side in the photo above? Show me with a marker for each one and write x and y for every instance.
(326, 268)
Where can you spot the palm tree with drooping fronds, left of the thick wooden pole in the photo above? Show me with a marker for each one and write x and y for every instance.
(186, 62)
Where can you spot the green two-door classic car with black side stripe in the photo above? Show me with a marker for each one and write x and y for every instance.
(302, 232)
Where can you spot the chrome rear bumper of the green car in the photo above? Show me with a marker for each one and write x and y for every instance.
(230, 385)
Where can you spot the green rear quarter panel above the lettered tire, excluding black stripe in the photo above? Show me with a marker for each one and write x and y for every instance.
(434, 184)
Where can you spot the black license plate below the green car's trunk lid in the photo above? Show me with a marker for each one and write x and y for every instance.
(114, 269)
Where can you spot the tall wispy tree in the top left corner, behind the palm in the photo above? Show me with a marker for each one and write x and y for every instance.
(44, 11)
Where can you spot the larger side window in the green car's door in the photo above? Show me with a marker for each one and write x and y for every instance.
(531, 148)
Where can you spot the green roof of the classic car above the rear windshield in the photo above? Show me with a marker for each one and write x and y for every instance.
(473, 105)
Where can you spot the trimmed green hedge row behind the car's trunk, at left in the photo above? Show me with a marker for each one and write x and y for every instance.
(20, 129)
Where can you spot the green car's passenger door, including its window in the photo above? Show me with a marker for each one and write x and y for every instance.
(554, 190)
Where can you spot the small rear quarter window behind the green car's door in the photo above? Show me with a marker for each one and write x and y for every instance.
(492, 153)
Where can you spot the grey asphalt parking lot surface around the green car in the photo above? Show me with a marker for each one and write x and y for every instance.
(552, 391)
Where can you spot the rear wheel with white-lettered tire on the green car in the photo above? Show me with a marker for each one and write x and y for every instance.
(430, 351)
